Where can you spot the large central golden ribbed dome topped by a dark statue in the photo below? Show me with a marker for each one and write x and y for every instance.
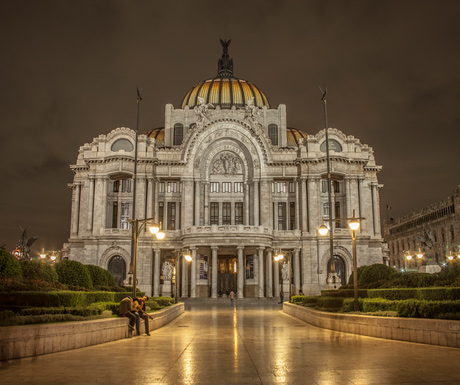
(225, 90)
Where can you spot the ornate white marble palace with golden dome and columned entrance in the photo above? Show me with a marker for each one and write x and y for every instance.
(232, 184)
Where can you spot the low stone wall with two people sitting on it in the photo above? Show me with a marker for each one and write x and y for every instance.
(34, 340)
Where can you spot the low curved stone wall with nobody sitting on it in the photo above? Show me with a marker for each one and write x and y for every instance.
(425, 331)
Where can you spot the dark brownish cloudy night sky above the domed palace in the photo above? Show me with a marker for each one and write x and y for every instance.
(69, 72)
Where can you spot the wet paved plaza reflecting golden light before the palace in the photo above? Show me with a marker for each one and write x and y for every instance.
(248, 344)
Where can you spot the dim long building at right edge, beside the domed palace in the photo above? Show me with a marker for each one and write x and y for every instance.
(434, 230)
